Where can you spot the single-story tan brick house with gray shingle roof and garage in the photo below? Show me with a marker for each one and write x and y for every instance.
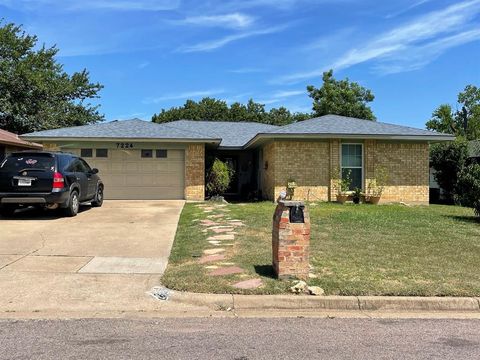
(144, 160)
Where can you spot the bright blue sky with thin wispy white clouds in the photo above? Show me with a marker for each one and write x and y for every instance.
(154, 54)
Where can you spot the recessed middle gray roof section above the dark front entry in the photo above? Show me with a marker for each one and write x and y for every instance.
(233, 134)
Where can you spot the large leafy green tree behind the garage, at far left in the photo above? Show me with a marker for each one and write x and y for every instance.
(35, 92)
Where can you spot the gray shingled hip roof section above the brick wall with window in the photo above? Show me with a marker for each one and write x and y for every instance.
(341, 125)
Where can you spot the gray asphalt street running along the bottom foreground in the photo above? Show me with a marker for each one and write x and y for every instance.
(240, 339)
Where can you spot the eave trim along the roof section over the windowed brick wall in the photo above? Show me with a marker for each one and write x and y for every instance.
(428, 138)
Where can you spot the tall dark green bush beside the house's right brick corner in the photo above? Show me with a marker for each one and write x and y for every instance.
(448, 160)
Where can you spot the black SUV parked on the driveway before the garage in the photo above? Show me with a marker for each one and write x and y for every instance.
(47, 179)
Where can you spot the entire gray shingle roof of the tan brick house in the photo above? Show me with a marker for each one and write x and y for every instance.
(242, 134)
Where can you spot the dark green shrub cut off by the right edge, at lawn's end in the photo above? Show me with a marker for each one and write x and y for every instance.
(468, 187)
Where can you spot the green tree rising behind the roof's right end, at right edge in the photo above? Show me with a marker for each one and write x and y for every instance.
(465, 121)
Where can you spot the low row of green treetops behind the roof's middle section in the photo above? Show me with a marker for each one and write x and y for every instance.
(219, 110)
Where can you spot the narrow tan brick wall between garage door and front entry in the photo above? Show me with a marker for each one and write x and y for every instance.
(195, 172)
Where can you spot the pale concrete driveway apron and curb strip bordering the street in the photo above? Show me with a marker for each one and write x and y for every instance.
(31, 295)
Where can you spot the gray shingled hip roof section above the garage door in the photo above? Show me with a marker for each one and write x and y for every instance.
(125, 129)
